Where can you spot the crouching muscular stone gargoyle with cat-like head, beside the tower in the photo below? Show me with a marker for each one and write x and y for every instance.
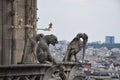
(43, 52)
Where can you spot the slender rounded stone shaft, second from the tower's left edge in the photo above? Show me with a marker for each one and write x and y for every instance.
(13, 31)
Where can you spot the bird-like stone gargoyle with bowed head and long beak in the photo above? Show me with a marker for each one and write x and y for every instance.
(75, 46)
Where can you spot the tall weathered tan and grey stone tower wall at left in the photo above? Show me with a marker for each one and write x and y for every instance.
(12, 41)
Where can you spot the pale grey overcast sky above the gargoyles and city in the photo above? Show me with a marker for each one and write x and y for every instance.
(97, 18)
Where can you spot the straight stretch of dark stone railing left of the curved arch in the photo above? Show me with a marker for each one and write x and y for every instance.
(23, 71)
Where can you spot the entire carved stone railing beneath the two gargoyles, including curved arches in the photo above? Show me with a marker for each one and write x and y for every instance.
(38, 71)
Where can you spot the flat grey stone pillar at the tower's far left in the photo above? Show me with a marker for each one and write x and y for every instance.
(6, 35)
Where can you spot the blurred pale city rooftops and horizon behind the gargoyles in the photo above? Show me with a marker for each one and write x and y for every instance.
(104, 58)
